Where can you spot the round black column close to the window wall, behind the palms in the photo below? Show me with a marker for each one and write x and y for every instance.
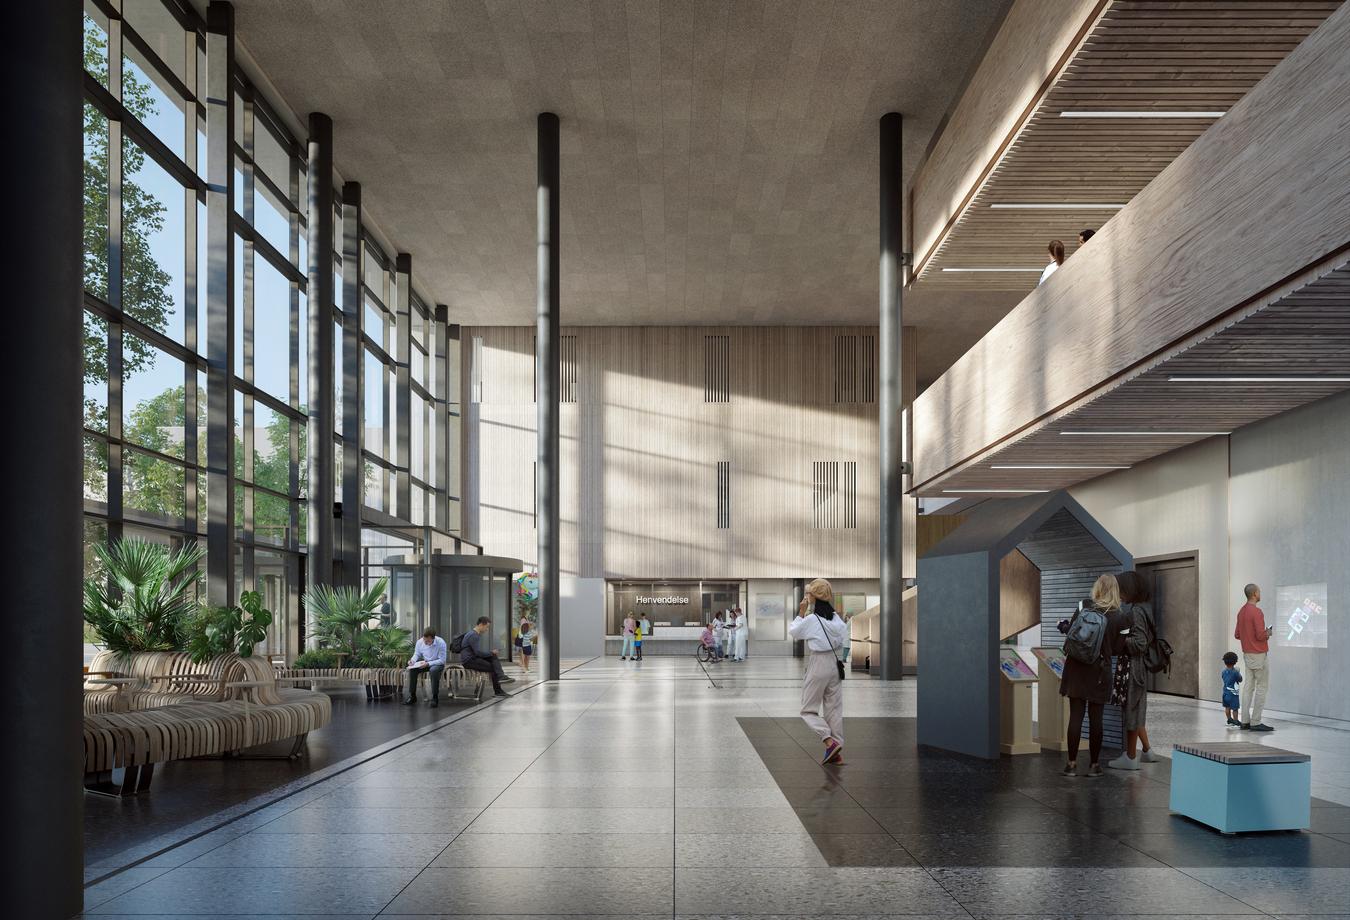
(323, 414)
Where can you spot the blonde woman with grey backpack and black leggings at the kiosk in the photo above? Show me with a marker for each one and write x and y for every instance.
(1087, 671)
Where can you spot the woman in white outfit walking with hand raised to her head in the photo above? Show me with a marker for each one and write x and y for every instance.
(823, 692)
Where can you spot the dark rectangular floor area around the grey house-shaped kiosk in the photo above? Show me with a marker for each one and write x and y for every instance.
(896, 804)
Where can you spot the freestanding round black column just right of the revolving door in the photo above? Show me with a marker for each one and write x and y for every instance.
(547, 378)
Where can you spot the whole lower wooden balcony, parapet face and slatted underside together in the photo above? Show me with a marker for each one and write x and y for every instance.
(1233, 264)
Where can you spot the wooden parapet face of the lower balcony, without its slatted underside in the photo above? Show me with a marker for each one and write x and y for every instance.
(1260, 197)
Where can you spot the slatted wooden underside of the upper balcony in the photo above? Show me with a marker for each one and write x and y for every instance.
(1144, 55)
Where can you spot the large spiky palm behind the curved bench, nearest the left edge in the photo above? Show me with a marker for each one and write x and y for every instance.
(146, 599)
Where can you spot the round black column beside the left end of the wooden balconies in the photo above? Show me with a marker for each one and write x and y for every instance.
(892, 409)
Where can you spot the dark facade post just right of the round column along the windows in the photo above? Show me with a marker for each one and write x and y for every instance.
(353, 387)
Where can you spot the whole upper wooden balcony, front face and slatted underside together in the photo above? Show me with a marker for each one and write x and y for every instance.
(1010, 141)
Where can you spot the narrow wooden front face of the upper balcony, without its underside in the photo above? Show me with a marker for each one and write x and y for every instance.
(1029, 51)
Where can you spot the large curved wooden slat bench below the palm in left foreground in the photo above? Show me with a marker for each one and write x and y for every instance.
(244, 711)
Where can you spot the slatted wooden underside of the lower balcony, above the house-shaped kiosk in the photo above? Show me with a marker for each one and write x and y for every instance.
(1307, 333)
